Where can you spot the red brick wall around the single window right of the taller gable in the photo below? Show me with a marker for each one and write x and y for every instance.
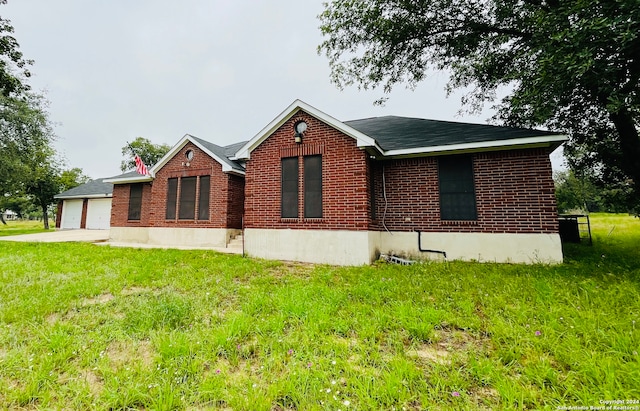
(514, 194)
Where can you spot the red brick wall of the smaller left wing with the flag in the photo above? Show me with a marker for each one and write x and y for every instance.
(222, 213)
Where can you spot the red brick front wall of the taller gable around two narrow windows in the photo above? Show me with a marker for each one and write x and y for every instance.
(344, 178)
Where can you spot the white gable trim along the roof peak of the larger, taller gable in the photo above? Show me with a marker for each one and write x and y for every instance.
(244, 152)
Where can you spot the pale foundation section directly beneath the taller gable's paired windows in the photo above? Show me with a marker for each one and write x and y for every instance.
(339, 247)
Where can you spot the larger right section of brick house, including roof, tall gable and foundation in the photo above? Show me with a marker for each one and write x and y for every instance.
(321, 190)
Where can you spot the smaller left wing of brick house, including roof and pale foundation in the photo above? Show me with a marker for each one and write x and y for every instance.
(193, 196)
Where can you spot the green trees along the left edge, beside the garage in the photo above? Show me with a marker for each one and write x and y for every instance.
(31, 171)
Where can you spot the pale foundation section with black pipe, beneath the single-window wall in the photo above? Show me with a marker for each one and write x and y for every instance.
(482, 247)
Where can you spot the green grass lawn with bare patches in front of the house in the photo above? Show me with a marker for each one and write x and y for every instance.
(94, 327)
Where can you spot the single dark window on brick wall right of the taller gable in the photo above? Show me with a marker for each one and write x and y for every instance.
(457, 191)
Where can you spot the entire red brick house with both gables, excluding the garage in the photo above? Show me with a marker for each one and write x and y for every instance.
(311, 188)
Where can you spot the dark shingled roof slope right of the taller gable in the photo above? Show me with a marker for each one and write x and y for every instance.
(398, 133)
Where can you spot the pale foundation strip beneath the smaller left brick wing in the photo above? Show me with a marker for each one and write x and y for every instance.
(183, 237)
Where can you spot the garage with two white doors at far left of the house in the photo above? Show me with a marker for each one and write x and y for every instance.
(86, 206)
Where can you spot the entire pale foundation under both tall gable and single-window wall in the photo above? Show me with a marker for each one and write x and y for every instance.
(341, 247)
